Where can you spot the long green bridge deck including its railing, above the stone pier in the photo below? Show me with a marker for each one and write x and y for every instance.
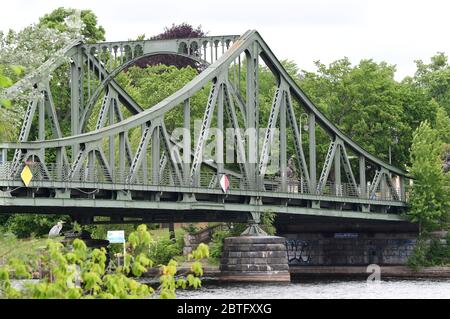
(92, 193)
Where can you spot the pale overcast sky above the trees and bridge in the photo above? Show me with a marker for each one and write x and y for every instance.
(394, 31)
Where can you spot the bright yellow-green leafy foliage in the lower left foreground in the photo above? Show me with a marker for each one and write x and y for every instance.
(77, 271)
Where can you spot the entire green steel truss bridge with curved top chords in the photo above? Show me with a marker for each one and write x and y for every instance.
(96, 170)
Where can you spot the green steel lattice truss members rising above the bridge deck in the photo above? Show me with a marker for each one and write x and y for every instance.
(222, 91)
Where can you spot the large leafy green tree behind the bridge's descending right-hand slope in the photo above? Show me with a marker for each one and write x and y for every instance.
(369, 105)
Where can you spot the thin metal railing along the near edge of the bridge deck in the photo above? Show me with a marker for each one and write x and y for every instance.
(98, 176)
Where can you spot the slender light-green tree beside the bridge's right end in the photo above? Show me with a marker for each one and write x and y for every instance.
(429, 202)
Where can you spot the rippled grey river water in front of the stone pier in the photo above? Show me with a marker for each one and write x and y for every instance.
(330, 289)
